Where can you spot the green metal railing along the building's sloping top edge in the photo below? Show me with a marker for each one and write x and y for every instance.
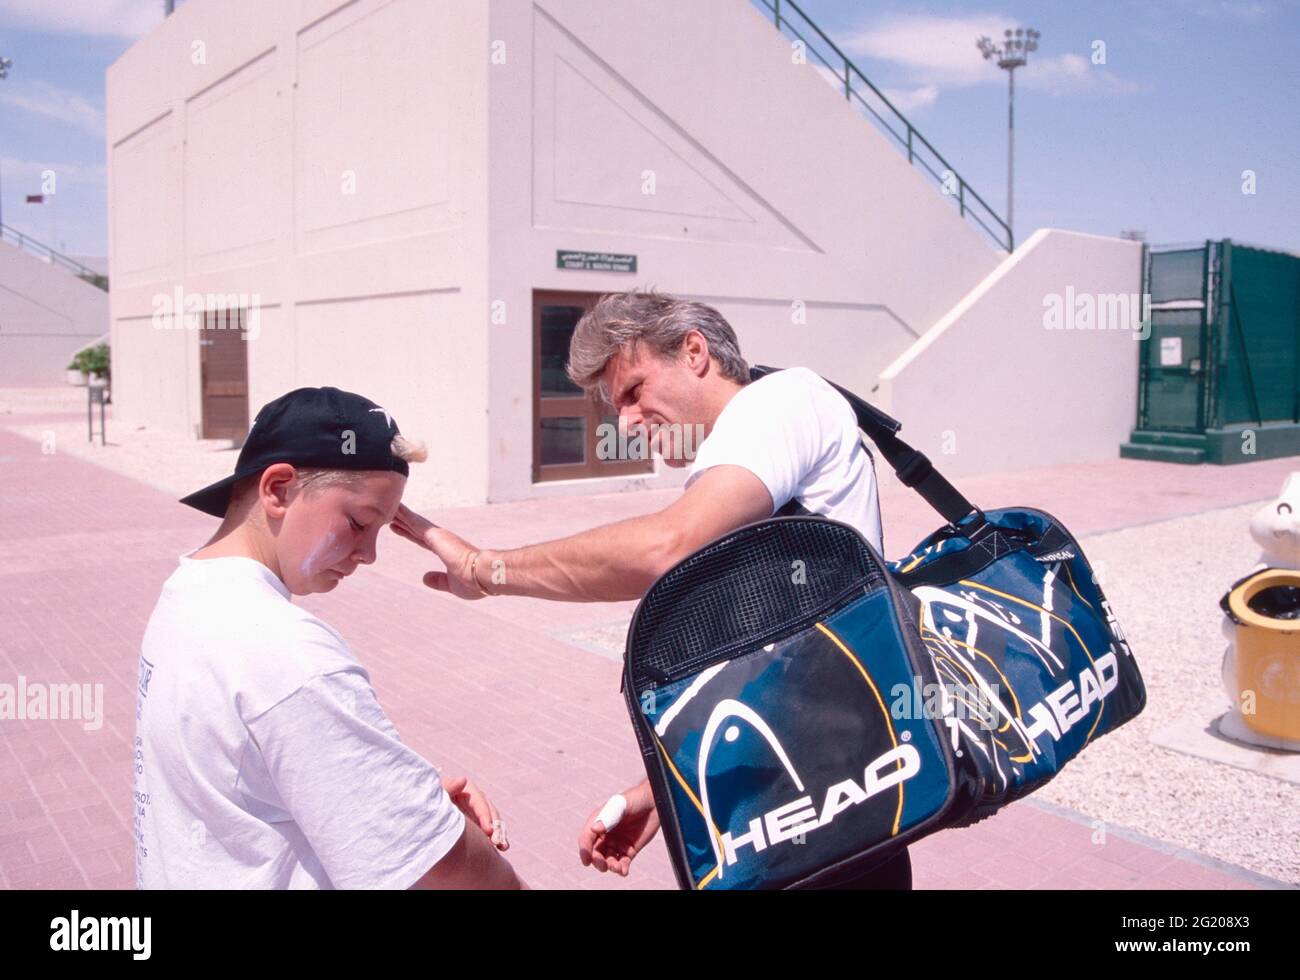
(859, 88)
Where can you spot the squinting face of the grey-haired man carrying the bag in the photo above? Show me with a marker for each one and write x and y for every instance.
(655, 392)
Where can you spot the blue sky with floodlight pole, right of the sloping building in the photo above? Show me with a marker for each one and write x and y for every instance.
(1193, 94)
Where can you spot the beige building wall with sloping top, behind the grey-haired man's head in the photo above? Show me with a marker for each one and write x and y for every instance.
(769, 190)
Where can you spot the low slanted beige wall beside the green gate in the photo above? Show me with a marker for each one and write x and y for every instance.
(998, 385)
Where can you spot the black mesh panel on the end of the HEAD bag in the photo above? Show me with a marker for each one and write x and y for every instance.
(746, 589)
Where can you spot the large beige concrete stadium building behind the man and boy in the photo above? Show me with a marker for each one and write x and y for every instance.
(417, 200)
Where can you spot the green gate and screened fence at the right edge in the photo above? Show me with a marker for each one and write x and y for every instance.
(1220, 371)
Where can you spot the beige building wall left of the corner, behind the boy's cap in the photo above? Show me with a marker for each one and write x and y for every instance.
(327, 161)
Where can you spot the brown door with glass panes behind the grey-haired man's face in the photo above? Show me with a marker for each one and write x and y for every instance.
(567, 426)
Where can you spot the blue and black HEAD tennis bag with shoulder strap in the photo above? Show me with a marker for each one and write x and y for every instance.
(805, 708)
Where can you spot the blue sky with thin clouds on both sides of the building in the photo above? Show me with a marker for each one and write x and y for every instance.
(1191, 94)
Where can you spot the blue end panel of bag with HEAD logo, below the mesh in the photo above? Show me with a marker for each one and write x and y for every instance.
(778, 757)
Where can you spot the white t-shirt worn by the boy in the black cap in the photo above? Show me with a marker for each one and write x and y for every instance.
(262, 756)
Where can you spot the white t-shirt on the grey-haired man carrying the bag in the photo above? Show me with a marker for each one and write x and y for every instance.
(800, 437)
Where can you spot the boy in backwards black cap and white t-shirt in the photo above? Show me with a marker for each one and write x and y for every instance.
(262, 756)
